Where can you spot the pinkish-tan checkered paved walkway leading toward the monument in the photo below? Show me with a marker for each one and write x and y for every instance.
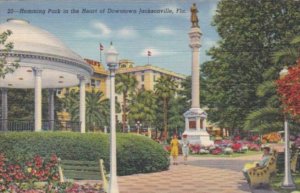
(201, 175)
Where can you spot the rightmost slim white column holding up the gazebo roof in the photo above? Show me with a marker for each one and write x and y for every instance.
(82, 103)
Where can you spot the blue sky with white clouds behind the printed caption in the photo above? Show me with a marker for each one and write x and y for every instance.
(165, 34)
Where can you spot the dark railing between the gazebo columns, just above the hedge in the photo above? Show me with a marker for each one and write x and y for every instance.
(47, 125)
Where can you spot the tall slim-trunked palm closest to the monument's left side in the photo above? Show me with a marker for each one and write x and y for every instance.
(165, 88)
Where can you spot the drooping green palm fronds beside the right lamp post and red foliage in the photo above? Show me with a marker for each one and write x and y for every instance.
(269, 117)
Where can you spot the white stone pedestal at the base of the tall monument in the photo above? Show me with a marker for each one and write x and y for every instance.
(195, 127)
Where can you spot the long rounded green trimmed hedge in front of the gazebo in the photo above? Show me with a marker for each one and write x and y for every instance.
(135, 154)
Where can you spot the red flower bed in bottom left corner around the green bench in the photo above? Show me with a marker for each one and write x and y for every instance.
(37, 176)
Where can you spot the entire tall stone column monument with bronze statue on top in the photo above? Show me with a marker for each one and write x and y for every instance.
(195, 117)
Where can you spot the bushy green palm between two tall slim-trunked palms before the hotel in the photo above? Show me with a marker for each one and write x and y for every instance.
(143, 107)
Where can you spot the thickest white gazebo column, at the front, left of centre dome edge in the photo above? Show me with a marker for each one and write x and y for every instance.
(37, 99)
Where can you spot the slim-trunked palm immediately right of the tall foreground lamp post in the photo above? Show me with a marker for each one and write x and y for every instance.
(125, 85)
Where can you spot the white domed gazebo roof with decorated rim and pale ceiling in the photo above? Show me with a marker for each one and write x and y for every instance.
(37, 48)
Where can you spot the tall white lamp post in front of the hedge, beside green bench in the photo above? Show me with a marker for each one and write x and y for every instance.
(112, 63)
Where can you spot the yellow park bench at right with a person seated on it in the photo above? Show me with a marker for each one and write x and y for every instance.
(260, 176)
